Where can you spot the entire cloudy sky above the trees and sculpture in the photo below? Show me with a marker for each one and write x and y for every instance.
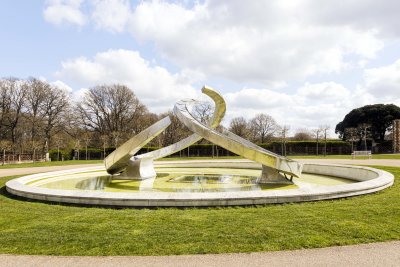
(306, 63)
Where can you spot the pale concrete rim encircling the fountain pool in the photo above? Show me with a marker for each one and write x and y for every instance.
(369, 180)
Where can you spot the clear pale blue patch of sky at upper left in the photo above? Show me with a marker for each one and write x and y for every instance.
(33, 47)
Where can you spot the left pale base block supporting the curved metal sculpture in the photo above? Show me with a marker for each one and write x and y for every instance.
(139, 169)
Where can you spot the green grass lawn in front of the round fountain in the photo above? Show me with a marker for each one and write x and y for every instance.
(40, 228)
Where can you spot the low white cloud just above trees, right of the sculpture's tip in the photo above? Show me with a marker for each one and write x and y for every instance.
(309, 106)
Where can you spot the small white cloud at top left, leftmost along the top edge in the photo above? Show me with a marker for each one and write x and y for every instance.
(64, 11)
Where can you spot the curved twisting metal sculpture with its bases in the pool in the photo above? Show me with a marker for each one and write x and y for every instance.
(275, 168)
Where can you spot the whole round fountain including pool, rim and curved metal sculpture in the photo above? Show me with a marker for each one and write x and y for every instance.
(128, 179)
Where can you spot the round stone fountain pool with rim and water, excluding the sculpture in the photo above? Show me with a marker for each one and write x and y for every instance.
(199, 183)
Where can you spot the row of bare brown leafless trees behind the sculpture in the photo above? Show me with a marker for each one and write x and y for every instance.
(36, 116)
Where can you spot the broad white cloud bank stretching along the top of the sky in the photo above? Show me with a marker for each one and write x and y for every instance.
(260, 41)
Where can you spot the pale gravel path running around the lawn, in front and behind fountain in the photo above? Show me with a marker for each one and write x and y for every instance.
(375, 254)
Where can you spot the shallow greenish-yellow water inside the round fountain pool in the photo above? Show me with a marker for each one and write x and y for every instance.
(179, 180)
